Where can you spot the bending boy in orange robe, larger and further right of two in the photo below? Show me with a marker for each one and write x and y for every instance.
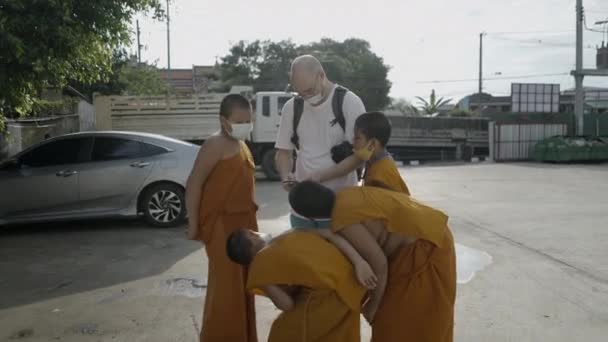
(410, 249)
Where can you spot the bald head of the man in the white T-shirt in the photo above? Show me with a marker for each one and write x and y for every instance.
(307, 76)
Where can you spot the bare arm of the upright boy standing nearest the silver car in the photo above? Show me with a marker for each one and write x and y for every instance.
(209, 154)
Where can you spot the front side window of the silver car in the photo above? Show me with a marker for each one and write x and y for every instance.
(58, 152)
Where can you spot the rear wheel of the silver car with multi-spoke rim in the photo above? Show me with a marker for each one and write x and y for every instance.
(164, 205)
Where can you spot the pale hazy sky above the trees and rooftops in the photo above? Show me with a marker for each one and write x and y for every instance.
(422, 41)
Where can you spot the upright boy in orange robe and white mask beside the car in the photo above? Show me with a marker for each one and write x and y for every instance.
(220, 196)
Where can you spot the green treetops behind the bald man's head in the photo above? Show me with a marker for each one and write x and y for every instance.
(351, 63)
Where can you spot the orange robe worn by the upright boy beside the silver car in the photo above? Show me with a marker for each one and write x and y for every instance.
(227, 205)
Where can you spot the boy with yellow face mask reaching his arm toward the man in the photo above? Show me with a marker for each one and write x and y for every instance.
(372, 133)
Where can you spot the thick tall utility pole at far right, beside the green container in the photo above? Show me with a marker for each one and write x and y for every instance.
(579, 97)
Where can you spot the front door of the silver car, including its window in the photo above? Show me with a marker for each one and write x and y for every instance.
(44, 180)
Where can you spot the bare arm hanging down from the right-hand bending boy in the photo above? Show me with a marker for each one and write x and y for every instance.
(361, 239)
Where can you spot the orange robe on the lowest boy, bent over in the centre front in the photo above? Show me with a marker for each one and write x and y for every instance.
(327, 309)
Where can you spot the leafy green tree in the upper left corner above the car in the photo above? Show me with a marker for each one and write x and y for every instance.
(50, 43)
